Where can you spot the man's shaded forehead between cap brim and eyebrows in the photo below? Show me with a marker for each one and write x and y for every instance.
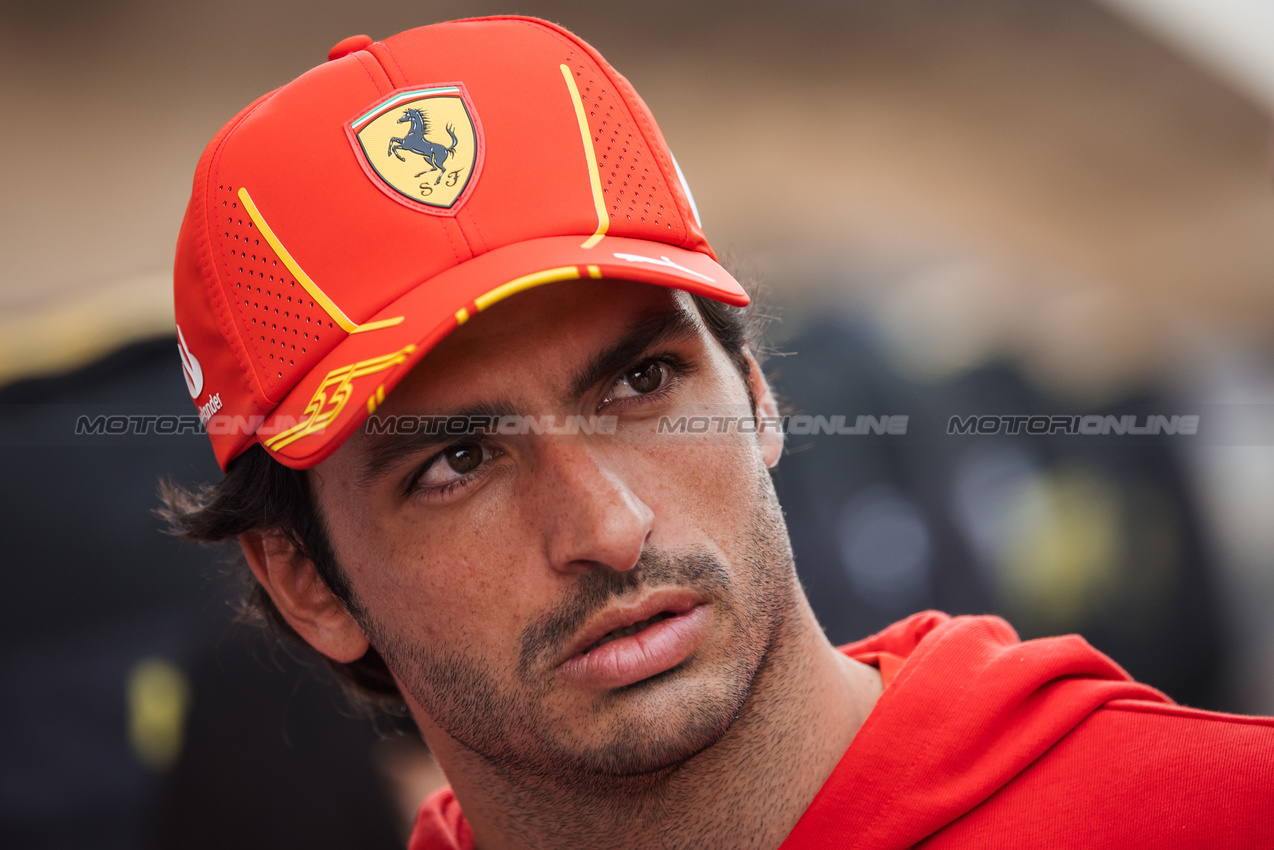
(545, 333)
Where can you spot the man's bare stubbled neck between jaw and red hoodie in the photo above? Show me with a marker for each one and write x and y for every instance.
(746, 791)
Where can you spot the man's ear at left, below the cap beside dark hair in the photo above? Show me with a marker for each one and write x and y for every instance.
(303, 597)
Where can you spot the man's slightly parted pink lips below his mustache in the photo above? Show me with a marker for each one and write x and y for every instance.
(655, 649)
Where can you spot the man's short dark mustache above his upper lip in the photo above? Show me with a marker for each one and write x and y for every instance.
(545, 637)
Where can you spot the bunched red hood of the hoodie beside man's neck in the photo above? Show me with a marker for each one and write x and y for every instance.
(968, 707)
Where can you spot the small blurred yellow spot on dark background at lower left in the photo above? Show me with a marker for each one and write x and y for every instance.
(159, 696)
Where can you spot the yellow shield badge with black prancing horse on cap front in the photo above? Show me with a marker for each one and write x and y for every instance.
(421, 146)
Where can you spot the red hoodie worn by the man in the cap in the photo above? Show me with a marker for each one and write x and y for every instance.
(984, 741)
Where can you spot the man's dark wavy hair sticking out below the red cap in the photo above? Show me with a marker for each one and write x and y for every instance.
(262, 495)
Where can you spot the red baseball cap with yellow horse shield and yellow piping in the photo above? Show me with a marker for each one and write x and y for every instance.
(343, 225)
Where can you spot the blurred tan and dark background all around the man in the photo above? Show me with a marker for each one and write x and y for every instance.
(959, 207)
